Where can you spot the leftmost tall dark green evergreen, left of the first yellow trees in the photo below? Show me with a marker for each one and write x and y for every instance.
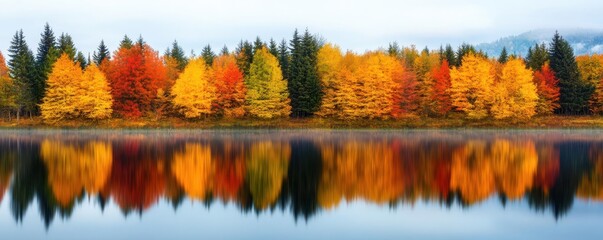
(23, 71)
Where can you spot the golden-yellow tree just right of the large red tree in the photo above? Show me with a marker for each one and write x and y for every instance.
(193, 92)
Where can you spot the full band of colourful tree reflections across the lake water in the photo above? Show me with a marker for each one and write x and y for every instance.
(303, 173)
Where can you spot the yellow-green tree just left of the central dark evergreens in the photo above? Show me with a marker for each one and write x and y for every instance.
(267, 95)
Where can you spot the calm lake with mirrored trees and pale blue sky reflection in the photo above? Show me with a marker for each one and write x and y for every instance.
(301, 184)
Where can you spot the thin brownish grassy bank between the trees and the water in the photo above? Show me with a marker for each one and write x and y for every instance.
(412, 122)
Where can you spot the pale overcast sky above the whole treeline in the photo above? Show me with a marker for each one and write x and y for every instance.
(355, 25)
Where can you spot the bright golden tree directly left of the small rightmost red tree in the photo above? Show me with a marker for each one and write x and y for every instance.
(515, 94)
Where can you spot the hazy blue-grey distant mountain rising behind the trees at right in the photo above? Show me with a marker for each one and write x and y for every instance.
(583, 41)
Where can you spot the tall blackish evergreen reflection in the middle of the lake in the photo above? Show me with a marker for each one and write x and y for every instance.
(303, 177)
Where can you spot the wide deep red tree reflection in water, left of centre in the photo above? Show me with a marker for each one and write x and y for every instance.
(137, 178)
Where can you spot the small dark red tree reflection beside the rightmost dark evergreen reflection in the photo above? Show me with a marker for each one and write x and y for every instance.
(548, 167)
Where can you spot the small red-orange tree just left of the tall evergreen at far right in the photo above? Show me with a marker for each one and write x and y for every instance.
(548, 91)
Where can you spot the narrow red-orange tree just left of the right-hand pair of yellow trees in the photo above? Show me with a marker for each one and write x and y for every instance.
(441, 96)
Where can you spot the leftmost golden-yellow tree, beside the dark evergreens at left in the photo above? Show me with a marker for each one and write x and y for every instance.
(61, 98)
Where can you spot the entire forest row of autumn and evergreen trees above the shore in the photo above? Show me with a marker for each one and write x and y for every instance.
(304, 77)
